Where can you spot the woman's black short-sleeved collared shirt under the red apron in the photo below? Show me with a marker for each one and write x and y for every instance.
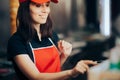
(17, 46)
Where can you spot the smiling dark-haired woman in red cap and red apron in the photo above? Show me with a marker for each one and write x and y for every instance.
(35, 50)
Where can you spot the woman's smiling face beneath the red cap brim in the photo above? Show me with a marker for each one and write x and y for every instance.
(39, 12)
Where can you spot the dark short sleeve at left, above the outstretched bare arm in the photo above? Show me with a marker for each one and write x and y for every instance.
(15, 47)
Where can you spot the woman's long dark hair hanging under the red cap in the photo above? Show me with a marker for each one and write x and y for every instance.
(24, 23)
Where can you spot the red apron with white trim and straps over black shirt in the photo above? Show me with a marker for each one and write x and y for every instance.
(47, 59)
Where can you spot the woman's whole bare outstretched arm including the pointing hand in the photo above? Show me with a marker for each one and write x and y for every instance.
(29, 69)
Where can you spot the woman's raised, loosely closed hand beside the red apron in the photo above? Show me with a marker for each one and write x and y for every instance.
(65, 47)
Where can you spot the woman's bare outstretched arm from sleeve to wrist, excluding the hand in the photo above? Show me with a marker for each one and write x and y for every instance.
(29, 69)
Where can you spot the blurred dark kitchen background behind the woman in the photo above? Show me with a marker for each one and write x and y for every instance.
(76, 21)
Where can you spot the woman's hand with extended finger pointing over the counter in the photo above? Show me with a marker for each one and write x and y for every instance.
(81, 67)
